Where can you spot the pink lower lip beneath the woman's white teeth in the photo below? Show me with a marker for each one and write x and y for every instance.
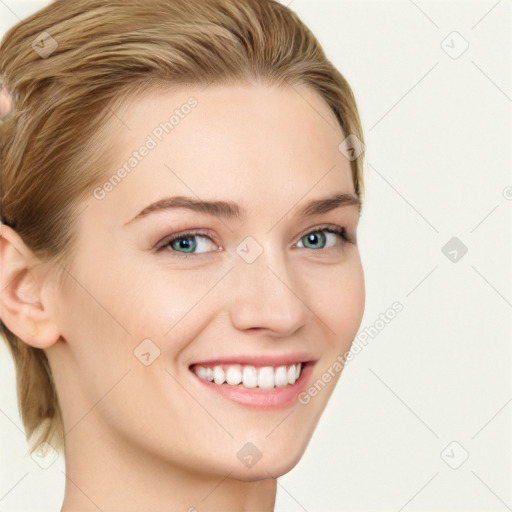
(265, 399)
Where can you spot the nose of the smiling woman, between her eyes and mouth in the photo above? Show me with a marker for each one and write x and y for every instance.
(266, 297)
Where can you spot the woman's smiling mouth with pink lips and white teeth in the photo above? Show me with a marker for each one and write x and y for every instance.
(261, 386)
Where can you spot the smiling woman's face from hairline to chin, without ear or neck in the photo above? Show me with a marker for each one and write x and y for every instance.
(268, 287)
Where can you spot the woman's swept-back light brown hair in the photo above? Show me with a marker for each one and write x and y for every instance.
(102, 51)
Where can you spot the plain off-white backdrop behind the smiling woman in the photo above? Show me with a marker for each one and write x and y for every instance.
(421, 417)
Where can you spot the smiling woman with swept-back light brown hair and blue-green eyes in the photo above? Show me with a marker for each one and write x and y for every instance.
(181, 188)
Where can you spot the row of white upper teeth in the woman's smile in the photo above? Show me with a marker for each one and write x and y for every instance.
(266, 377)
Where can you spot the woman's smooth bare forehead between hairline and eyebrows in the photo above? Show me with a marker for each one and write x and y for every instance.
(246, 143)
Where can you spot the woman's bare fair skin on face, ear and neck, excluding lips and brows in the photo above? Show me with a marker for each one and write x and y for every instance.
(153, 438)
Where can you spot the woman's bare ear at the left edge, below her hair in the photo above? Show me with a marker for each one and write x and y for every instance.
(22, 308)
